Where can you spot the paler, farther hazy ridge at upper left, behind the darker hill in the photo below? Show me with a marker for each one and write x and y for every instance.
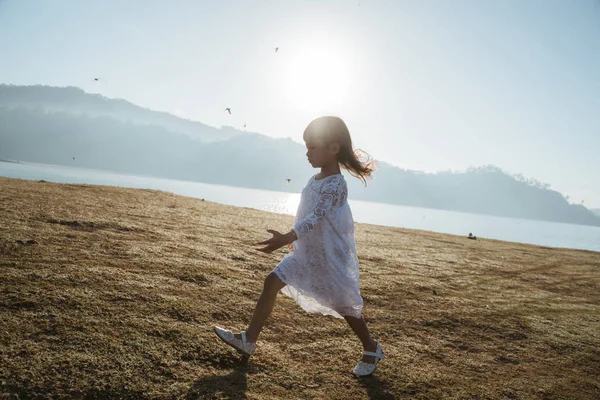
(75, 101)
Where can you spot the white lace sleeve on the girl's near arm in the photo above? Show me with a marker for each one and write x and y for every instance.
(332, 194)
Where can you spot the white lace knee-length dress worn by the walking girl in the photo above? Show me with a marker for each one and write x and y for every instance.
(322, 272)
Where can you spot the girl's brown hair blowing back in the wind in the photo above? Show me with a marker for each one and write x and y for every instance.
(334, 130)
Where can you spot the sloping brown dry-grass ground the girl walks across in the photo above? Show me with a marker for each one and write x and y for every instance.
(118, 296)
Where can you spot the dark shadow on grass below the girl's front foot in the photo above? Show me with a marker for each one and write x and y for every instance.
(232, 385)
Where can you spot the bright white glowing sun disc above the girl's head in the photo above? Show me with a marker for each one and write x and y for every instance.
(317, 78)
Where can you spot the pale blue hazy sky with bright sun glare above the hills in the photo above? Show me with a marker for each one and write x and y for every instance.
(425, 85)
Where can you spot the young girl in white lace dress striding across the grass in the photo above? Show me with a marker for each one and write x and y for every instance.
(321, 274)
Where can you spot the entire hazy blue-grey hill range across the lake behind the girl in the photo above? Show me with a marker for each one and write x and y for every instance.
(36, 134)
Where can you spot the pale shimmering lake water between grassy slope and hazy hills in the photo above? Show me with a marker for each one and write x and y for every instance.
(543, 233)
